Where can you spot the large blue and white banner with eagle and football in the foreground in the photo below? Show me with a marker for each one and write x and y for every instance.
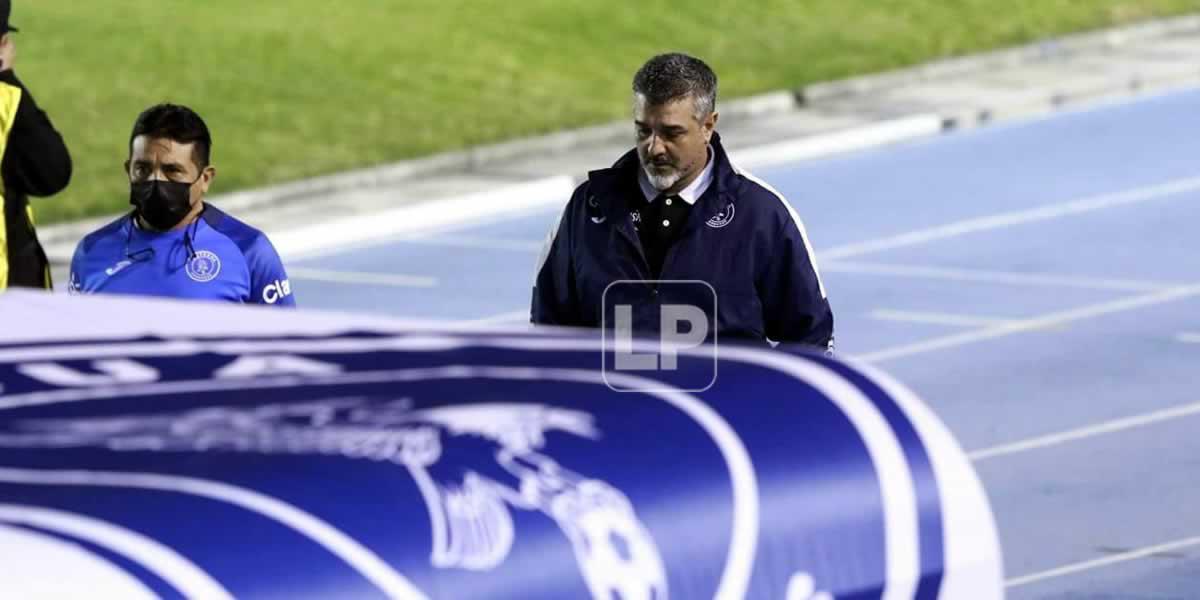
(152, 448)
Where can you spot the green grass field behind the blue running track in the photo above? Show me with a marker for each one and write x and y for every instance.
(301, 88)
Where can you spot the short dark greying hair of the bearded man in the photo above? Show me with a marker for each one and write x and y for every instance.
(670, 77)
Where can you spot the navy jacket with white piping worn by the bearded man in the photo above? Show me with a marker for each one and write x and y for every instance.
(742, 238)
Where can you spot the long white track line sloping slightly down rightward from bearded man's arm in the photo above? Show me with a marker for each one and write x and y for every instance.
(987, 277)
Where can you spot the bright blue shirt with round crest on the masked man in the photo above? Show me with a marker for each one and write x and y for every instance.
(217, 257)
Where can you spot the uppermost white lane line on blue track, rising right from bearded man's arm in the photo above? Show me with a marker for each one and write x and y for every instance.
(1006, 220)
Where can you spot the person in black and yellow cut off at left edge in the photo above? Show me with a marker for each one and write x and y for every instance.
(37, 163)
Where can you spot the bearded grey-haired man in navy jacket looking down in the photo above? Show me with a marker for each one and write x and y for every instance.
(677, 209)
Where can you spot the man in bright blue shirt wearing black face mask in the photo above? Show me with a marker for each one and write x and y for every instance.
(172, 244)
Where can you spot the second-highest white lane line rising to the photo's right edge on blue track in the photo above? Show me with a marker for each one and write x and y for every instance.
(1043, 322)
